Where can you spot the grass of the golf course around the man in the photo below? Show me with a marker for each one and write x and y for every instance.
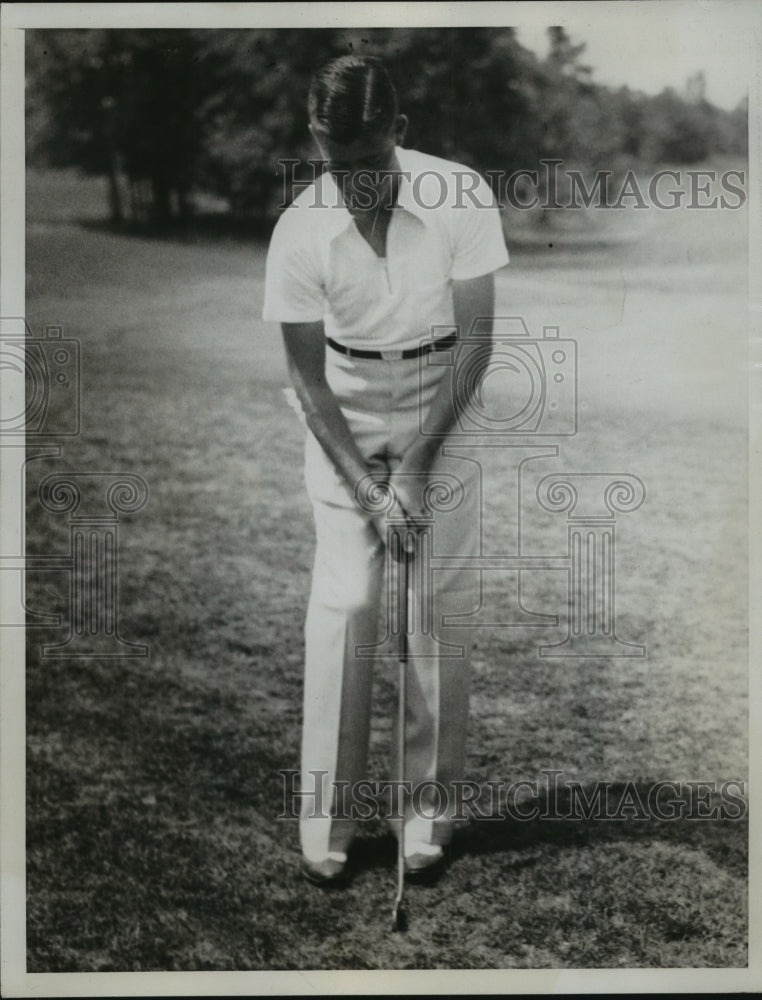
(153, 791)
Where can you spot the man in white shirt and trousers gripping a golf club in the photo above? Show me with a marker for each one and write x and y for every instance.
(373, 272)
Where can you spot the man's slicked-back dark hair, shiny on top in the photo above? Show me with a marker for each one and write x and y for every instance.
(352, 95)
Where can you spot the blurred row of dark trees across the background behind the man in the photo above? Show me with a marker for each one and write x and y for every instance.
(165, 114)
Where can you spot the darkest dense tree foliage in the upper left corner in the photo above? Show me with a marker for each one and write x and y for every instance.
(123, 102)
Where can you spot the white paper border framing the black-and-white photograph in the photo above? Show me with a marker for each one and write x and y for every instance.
(16, 982)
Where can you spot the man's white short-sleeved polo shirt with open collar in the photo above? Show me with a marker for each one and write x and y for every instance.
(445, 226)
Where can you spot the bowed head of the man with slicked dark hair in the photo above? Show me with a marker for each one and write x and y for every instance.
(355, 121)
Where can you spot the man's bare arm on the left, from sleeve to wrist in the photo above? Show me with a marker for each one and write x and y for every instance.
(305, 355)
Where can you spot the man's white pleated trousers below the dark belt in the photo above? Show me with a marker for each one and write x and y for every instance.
(383, 402)
